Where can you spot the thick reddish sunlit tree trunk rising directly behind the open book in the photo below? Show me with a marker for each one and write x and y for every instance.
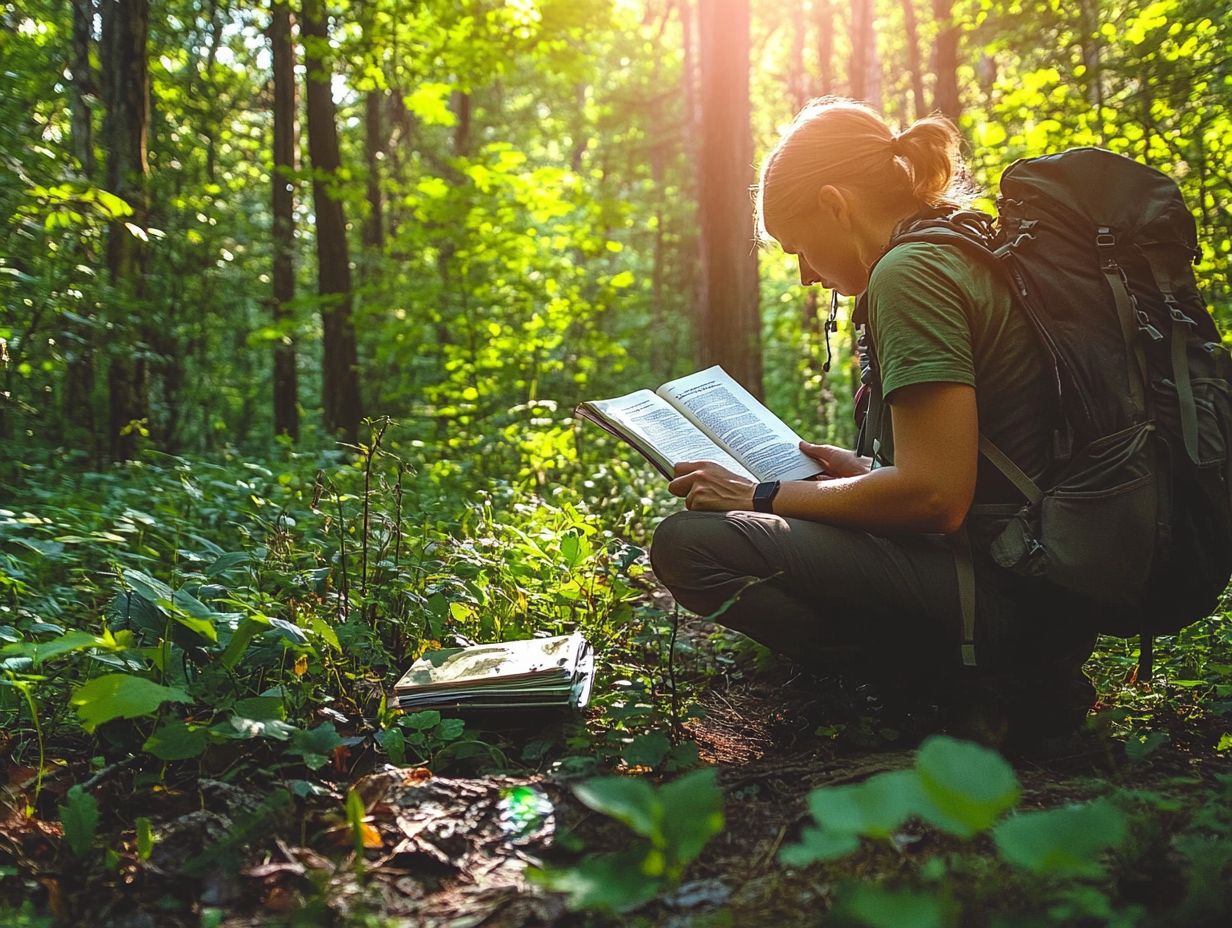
(730, 299)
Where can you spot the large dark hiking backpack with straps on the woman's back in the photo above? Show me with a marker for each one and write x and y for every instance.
(1135, 515)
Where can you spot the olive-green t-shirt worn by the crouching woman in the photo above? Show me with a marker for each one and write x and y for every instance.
(938, 316)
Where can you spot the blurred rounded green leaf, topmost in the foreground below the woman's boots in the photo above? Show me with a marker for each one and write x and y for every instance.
(967, 787)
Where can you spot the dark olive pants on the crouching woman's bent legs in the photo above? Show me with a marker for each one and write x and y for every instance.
(808, 590)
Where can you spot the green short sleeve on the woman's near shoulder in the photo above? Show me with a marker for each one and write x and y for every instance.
(920, 301)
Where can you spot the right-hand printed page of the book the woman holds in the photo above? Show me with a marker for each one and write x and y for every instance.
(737, 422)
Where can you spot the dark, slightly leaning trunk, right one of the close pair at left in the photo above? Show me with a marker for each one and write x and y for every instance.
(341, 363)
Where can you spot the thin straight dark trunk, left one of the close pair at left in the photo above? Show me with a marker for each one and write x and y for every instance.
(286, 411)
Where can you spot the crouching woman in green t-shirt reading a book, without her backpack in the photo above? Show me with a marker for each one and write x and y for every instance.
(862, 559)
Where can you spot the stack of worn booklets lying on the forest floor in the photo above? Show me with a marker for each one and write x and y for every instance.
(525, 675)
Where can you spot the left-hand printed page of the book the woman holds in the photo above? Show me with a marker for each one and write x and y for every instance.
(661, 433)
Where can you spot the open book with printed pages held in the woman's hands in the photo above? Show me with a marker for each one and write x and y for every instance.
(704, 417)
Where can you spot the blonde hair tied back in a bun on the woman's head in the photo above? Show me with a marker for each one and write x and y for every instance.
(848, 145)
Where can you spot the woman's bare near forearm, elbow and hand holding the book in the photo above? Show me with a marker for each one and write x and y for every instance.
(928, 490)
